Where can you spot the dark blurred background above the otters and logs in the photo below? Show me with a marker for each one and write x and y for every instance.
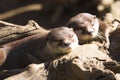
(54, 13)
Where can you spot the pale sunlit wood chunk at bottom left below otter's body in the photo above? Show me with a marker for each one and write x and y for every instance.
(32, 72)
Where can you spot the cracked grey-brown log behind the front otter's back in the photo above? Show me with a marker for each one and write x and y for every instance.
(10, 32)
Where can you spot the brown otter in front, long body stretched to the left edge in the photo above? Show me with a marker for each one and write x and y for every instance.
(43, 47)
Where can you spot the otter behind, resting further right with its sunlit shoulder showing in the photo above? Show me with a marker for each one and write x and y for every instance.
(88, 27)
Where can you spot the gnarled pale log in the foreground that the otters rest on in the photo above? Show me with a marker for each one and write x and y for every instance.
(85, 62)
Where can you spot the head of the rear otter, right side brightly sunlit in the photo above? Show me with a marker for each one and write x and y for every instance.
(85, 25)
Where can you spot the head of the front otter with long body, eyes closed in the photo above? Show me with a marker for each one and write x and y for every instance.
(62, 40)
